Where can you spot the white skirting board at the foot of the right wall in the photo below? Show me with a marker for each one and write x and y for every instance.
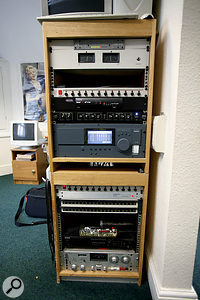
(160, 293)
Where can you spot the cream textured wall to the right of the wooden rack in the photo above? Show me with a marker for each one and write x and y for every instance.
(174, 201)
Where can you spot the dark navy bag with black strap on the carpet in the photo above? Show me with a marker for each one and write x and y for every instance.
(35, 206)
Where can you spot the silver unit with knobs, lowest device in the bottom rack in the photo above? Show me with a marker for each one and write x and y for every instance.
(99, 260)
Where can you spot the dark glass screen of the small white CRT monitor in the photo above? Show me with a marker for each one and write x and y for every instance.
(22, 131)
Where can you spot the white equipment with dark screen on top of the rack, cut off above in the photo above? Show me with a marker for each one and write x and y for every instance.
(96, 8)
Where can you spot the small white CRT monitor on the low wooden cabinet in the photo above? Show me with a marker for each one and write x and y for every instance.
(25, 133)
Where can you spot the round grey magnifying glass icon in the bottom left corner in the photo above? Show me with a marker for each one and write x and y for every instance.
(13, 287)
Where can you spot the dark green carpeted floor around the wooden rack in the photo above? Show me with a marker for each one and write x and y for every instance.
(24, 252)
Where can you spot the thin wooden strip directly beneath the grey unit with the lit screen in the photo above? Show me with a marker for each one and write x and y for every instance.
(99, 159)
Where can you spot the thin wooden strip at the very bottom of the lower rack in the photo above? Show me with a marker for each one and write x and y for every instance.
(115, 274)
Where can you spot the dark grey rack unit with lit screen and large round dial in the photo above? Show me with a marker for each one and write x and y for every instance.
(99, 140)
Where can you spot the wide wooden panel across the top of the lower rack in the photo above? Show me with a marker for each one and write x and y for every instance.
(99, 177)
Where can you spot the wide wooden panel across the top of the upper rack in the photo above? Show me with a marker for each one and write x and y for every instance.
(99, 28)
